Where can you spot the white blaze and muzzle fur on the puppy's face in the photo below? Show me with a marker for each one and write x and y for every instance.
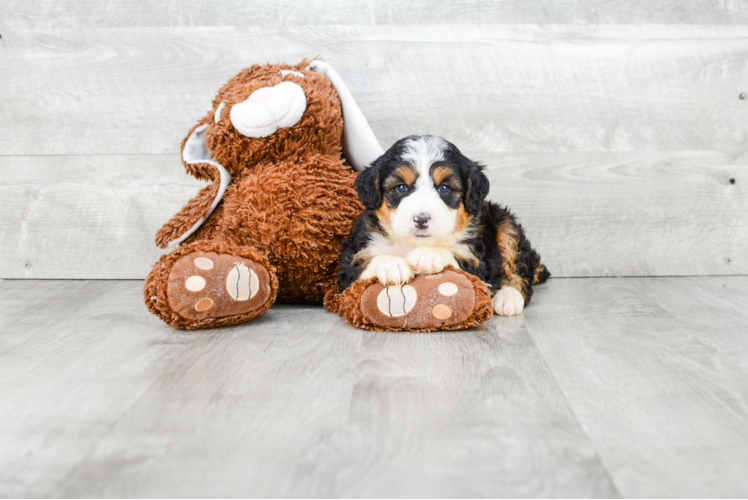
(422, 153)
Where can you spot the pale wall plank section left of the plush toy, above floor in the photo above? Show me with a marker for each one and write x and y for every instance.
(87, 216)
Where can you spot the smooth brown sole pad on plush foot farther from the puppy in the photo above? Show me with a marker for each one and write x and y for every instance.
(211, 285)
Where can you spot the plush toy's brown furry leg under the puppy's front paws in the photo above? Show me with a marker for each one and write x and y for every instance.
(450, 300)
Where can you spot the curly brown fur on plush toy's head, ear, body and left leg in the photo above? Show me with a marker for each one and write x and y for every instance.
(290, 203)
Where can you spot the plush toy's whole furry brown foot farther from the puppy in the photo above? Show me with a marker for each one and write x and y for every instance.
(207, 284)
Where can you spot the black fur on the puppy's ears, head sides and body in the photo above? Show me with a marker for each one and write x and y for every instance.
(488, 218)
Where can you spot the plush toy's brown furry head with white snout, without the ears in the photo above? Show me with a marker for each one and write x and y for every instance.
(273, 112)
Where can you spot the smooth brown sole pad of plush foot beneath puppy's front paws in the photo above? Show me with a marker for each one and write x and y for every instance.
(433, 301)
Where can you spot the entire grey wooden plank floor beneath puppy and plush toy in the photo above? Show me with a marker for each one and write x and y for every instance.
(629, 387)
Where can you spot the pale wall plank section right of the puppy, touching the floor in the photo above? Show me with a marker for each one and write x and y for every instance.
(628, 214)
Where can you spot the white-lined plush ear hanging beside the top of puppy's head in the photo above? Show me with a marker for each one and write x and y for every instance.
(360, 145)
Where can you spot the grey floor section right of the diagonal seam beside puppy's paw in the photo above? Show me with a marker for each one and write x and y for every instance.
(655, 371)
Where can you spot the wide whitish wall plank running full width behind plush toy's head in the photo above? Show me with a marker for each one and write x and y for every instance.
(485, 87)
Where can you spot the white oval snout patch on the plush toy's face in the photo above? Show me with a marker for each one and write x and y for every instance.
(269, 109)
